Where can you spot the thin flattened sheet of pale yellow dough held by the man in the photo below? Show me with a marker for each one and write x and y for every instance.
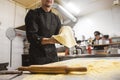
(66, 37)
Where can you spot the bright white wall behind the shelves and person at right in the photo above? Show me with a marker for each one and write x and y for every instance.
(106, 21)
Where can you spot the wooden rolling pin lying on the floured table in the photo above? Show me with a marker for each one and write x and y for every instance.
(52, 69)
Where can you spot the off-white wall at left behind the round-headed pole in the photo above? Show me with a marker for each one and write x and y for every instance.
(7, 17)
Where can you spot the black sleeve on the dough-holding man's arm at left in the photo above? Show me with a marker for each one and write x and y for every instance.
(32, 28)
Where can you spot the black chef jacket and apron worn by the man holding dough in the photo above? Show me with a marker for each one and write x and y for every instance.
(40, 24)
